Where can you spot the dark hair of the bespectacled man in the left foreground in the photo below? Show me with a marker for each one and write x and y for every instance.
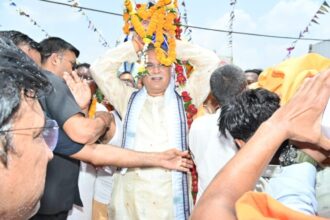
(18, 73)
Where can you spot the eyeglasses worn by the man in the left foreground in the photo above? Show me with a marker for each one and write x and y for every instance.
(49, 132)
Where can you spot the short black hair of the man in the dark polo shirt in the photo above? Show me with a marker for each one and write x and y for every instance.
(55, 45)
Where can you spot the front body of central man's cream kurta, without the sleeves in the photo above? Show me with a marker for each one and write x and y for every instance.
(145, 193)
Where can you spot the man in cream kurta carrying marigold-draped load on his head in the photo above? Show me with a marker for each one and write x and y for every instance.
(154, 116)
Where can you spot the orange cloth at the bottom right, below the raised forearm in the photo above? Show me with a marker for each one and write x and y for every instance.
(260, 206)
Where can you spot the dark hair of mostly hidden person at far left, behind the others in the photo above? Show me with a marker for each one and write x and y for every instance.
(20, 39)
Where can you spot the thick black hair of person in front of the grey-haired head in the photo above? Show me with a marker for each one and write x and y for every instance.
(243, 114)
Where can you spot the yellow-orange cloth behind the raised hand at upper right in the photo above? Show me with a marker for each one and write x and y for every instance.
(285, 78)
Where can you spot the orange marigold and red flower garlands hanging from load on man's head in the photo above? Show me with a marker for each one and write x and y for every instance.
(164, 23)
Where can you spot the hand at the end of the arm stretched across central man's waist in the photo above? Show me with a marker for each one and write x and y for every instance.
(174, 159)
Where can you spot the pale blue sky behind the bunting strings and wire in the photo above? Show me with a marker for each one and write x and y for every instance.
(282, 17)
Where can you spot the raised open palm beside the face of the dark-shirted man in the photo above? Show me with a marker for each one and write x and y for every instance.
(79, 89)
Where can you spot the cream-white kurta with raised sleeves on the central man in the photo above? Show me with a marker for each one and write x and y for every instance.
(147, 193)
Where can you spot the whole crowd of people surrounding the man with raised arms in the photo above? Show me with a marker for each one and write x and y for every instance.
(90, 141)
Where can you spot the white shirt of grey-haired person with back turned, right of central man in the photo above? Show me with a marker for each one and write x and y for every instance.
(211, 150)
